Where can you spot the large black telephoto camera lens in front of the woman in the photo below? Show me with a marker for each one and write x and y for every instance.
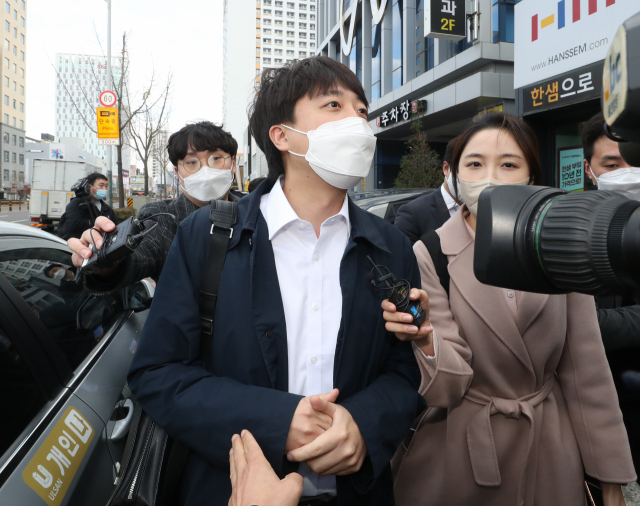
(540, 239)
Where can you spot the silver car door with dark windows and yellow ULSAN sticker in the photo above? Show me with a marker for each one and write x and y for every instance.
(64, 356)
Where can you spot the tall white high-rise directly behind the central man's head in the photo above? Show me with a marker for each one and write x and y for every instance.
(284, 31)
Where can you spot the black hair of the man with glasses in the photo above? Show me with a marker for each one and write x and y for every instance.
(201, 136)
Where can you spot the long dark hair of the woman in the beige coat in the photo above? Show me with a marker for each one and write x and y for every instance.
(519, 130)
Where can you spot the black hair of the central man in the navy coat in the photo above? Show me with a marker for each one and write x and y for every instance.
(280, 90)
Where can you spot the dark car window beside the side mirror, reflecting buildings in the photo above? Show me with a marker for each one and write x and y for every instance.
(45, 278)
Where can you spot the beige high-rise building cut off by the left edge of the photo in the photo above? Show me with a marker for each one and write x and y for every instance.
(12, 130)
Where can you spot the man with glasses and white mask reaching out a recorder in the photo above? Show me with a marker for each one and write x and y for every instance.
(204, 159)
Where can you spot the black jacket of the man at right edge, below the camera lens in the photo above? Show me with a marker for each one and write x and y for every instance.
(619, 321)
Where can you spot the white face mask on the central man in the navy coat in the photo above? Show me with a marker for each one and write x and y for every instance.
(340, 152)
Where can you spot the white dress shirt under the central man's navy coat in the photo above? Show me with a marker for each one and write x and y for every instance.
(308, 270)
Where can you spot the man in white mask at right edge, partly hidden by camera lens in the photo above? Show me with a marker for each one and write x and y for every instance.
(619, 314)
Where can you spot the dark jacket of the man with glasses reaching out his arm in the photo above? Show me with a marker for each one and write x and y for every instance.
(148, 258)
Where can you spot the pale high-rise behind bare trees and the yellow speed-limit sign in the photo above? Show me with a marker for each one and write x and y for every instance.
(80, 79)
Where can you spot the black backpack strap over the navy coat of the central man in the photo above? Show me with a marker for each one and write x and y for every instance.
(223, 217)
